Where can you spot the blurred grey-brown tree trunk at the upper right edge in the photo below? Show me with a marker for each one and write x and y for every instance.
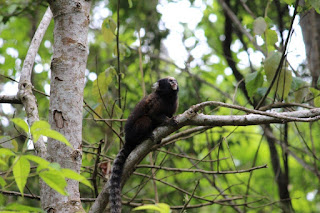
(311, 35)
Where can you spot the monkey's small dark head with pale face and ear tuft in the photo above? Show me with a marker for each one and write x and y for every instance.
(168, 85)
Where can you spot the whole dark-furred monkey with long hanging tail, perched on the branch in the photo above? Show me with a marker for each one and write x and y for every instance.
(152, 111)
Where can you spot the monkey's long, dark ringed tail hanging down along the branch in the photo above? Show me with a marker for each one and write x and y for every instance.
(115, 179)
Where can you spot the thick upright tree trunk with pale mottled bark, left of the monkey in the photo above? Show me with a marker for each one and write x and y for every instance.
(71, 20)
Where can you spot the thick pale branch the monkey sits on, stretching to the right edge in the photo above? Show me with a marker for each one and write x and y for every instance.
(191, 117)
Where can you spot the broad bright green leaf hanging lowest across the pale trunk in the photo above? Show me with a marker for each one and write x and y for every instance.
(55, 180)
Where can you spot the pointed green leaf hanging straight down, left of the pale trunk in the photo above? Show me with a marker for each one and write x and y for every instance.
(21, 170)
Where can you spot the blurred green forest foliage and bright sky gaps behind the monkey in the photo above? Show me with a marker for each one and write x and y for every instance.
(217, 62)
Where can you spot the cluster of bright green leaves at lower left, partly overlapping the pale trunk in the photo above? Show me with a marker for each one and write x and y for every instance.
(50, 173)
